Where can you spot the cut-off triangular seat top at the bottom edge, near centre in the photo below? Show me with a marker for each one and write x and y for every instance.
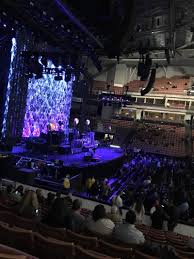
(82, 253)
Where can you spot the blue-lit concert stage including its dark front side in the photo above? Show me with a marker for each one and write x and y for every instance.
(107, 161)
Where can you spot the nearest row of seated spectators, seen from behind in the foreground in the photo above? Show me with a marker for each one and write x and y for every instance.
(59, 211)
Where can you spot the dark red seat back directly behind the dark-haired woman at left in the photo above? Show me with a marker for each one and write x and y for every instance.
(57, 233)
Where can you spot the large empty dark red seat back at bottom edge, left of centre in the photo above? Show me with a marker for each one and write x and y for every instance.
(51, 248)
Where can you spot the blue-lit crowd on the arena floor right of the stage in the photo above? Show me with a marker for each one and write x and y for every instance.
(157, 185)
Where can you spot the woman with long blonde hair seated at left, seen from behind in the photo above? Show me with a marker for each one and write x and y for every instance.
(29, 206)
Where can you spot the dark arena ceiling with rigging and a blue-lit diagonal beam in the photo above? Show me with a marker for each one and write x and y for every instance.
(111, 28)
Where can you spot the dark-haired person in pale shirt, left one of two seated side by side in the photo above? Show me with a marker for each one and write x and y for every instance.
(100, 224)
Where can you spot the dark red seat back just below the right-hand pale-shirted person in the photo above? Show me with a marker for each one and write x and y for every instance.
(115, 250)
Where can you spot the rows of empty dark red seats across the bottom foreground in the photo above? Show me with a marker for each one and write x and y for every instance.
(49, 242)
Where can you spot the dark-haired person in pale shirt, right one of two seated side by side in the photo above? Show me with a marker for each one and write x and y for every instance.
(127, 232)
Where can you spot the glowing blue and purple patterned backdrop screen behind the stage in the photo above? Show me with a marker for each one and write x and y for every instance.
(48, 103)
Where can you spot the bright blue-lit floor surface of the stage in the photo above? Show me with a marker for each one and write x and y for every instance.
(104, 154)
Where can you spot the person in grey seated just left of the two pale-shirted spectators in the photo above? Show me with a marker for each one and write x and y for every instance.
(78, 221)
